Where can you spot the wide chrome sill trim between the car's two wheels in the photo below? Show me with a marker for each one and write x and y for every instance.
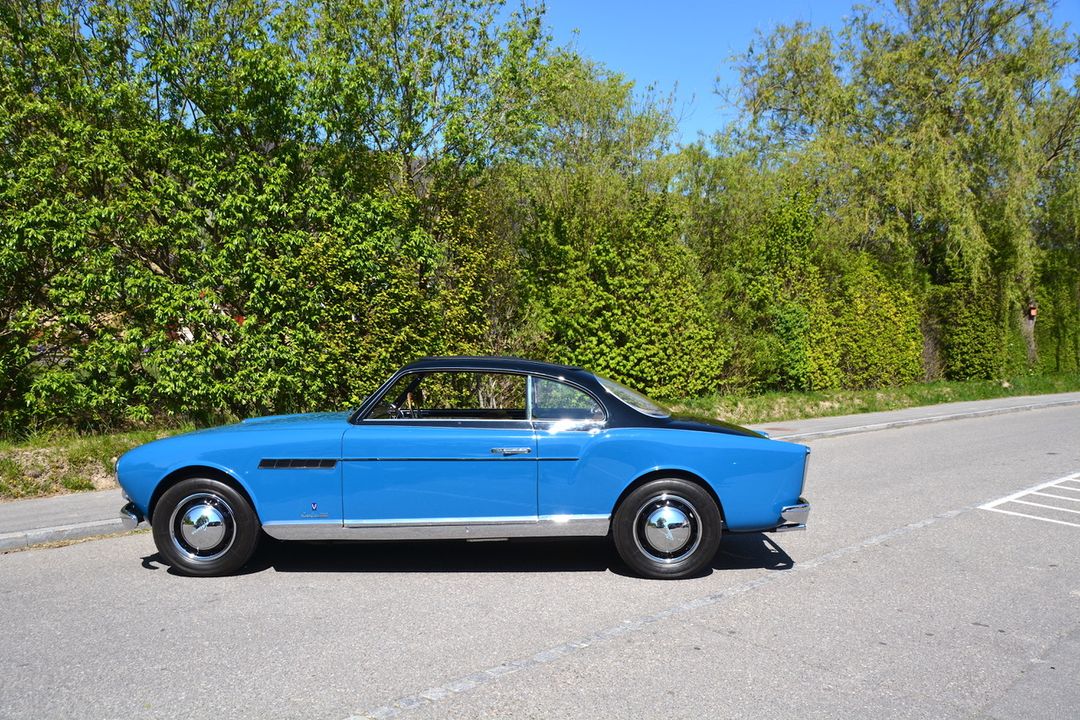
(458, 528)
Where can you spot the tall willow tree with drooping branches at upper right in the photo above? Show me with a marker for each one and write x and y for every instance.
(925, 133)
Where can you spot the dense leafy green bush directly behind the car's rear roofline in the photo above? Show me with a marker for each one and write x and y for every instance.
(627, 303)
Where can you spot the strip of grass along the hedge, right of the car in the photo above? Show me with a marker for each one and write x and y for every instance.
(771, 407)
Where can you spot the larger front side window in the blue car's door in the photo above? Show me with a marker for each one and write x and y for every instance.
(454, 396)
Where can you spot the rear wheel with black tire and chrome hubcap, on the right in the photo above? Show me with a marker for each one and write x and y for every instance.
(683, 537)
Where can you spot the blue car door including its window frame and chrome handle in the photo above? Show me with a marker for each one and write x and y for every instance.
(442, 449)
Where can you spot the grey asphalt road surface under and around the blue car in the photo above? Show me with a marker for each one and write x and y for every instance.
(904, 600)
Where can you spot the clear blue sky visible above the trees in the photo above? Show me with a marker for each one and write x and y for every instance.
(690, 44)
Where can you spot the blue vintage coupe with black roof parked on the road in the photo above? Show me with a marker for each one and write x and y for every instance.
(469, 449)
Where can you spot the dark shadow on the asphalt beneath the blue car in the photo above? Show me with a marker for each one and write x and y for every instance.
(579, 555)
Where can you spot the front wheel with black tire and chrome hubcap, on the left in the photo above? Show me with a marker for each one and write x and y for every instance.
(205, 527)
